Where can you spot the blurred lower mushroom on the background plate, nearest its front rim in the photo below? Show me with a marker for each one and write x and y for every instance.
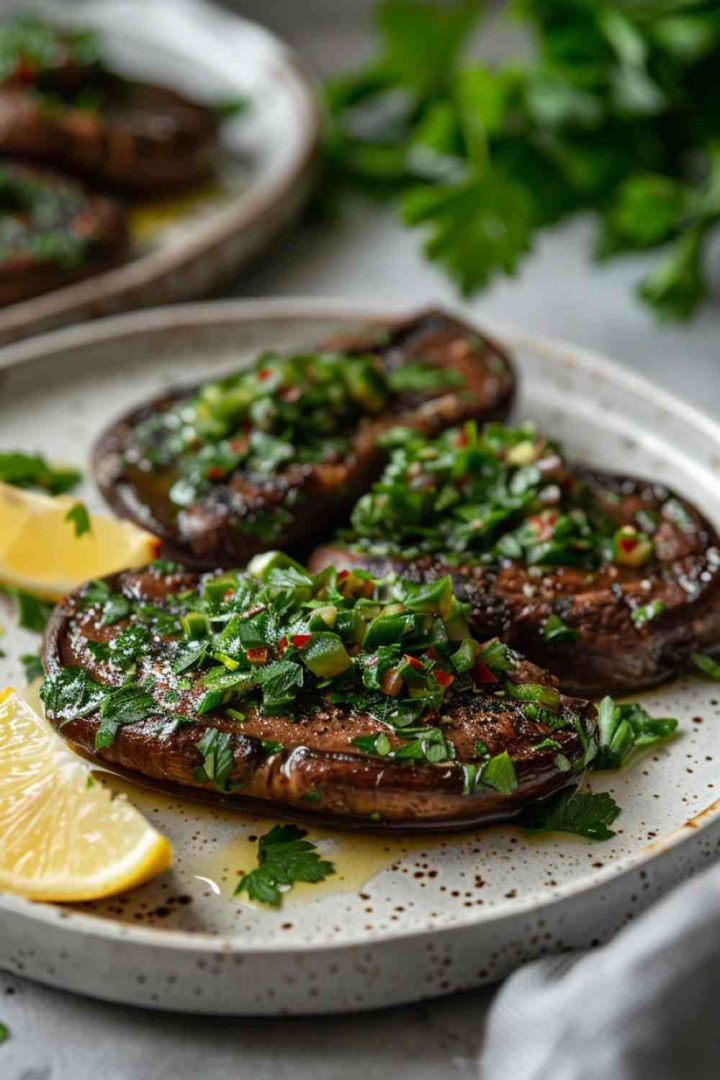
(52, 233)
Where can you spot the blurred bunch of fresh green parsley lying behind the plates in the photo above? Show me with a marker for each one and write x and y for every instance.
(618, 113)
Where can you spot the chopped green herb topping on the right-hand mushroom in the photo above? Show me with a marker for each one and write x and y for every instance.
(488, 497)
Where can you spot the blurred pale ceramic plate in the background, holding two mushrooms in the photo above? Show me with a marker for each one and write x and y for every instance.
(186, 246)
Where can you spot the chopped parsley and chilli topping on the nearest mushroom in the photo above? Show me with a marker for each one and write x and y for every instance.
(277, 641)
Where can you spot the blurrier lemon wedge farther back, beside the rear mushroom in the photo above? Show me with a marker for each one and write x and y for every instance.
(42, 553)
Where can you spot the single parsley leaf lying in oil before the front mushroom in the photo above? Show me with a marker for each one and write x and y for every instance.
(284, 858)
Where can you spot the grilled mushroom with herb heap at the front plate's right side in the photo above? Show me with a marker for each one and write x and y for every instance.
(608, 582)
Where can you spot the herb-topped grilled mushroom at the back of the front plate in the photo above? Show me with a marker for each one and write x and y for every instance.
(277, 454)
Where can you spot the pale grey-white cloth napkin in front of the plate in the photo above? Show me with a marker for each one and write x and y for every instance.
(645, 1007)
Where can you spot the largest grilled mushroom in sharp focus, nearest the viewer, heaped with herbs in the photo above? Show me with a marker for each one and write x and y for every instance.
(335, 695)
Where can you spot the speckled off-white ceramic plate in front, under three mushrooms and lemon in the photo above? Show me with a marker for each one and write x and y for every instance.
(404, 919)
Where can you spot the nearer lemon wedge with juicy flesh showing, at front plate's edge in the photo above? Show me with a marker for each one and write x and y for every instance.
(63, 836)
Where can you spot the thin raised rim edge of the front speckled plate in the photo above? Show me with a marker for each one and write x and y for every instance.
(308, 309)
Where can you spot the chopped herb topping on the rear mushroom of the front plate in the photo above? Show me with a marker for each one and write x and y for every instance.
(282, 410)
